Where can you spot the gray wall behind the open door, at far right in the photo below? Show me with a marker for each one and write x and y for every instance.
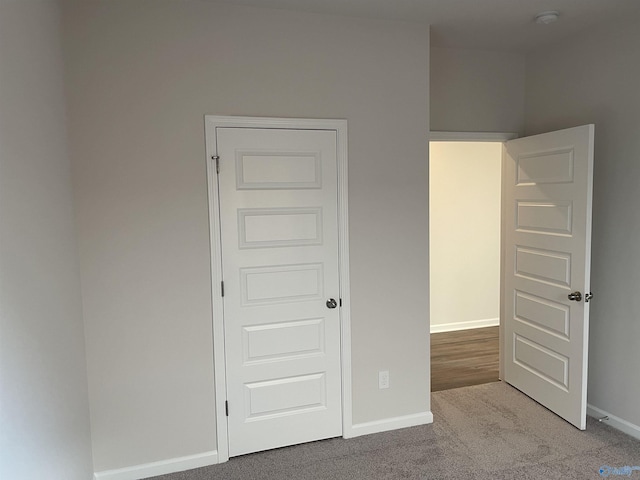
(594, 78)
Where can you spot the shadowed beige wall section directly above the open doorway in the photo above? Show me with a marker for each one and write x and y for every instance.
(476, 91)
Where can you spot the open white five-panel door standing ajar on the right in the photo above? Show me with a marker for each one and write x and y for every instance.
(547, 241)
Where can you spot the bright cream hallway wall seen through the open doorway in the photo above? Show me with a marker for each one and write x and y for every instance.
(464, 226)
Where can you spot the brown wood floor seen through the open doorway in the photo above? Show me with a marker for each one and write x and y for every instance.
(464, 358)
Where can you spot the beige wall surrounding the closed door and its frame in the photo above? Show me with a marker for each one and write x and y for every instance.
(141, 75)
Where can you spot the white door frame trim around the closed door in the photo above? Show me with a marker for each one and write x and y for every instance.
(212, 122)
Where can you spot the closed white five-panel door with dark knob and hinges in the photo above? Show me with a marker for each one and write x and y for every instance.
(278, 217)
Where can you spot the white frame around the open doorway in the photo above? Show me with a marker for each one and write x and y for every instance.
(442, 136)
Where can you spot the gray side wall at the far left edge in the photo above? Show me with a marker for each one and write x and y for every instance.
(44, 413)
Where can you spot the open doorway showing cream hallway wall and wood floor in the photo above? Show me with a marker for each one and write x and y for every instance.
(465, 251)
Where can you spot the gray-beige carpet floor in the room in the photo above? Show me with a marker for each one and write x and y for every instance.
(489, 431)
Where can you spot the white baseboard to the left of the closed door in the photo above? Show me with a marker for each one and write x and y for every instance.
(163, 467)
